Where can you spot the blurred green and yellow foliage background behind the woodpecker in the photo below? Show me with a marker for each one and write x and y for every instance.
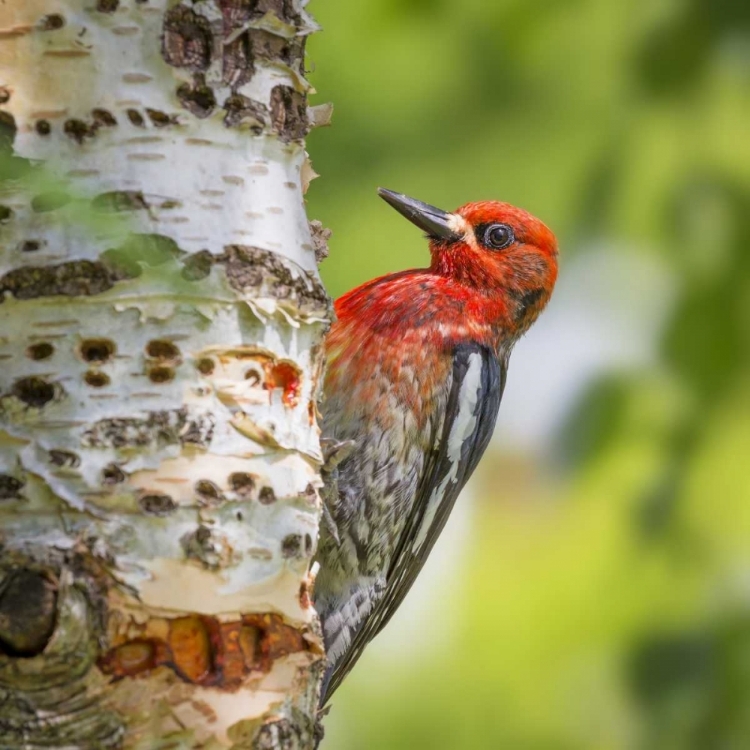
(592, 589)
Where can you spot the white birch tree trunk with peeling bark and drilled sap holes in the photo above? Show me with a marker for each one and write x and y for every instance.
(160, 327)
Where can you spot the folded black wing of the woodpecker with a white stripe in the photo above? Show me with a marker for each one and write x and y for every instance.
(477, 385)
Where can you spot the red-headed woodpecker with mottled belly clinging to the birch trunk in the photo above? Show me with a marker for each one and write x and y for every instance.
(416, 365)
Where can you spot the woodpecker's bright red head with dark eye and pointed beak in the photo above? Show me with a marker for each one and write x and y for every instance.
(491, 246)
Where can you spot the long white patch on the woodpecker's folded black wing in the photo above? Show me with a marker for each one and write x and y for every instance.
(462, 428)
